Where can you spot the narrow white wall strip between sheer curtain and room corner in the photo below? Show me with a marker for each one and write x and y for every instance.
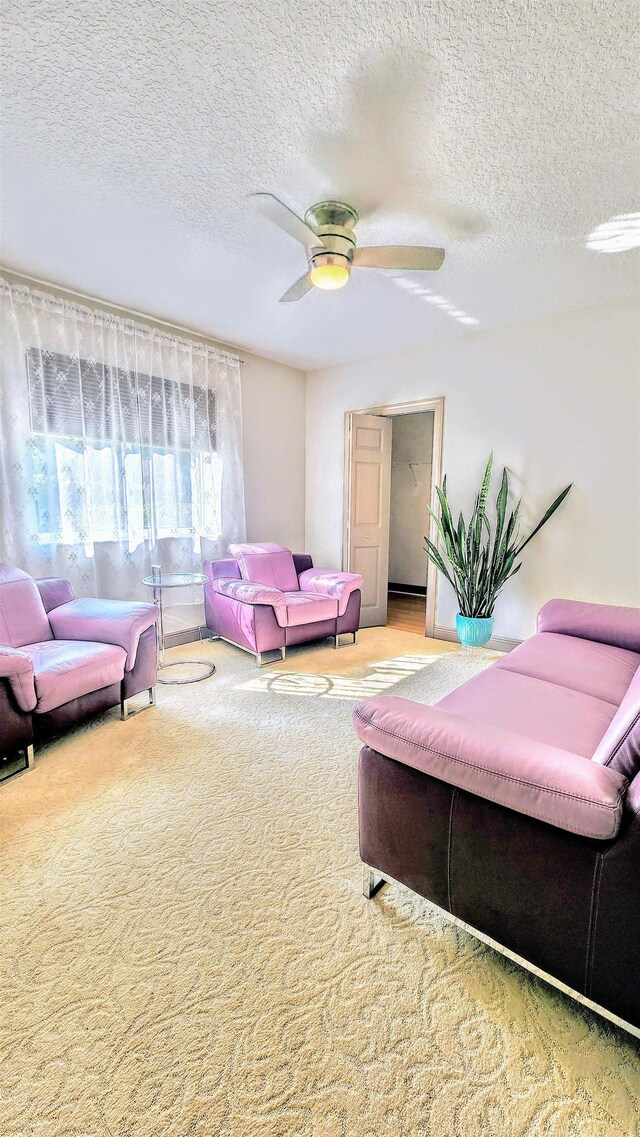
(273, 443)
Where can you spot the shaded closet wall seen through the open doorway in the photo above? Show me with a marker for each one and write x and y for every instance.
(412, 450)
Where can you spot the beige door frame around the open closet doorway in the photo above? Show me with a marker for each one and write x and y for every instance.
(390, 411)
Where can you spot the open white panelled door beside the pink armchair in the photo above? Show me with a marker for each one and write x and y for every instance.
(370, 489)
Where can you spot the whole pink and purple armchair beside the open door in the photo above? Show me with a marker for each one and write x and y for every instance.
(265, 599)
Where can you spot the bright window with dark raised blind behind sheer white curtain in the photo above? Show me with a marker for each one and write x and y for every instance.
(119, 454)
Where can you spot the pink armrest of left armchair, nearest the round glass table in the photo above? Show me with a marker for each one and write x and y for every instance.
(119, 623)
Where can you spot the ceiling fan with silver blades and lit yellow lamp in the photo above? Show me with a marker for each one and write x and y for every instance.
(328, 234)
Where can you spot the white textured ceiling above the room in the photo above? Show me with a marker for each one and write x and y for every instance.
(132, 135)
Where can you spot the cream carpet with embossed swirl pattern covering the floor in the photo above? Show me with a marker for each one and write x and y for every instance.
(186, 951)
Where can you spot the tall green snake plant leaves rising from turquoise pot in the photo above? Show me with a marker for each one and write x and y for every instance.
(478, 558)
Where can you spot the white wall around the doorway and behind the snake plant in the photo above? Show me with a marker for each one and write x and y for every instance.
(559, 401)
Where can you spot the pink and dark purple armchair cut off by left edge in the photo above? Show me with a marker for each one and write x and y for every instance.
(63, 660)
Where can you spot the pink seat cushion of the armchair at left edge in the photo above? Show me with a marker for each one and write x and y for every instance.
(67, 669)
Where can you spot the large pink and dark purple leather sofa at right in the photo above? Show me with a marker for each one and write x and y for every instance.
(514, 803)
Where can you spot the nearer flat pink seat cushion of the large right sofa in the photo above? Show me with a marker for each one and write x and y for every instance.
(535, 708)
